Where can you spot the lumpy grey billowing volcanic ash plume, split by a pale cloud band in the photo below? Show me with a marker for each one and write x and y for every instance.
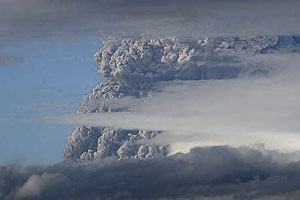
(135, 67)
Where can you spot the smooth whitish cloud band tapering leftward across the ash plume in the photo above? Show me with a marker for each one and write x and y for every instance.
(242, 111)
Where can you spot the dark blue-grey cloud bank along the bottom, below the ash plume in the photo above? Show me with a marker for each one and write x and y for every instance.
(204, 173)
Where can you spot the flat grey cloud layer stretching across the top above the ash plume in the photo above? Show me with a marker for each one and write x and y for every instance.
(65, 19)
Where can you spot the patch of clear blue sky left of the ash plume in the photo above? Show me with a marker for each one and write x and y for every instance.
(52, 80)
